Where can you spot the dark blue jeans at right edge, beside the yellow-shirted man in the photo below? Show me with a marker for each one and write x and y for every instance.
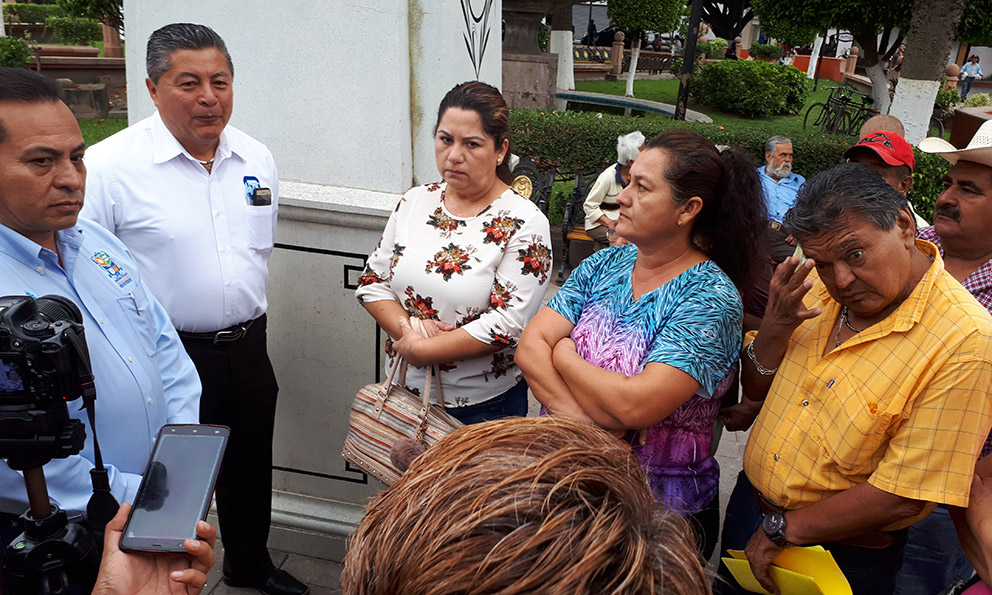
(933, 557)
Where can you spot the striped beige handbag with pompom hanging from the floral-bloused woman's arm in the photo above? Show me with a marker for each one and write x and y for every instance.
(390, 425)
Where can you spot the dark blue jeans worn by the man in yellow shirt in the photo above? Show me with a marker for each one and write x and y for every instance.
(869, 571)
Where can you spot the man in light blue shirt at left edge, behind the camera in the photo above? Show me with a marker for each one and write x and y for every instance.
(144, 379)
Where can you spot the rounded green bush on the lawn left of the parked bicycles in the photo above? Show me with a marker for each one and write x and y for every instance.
(751, 88)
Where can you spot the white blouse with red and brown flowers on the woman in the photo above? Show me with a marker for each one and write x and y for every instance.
(486, 274)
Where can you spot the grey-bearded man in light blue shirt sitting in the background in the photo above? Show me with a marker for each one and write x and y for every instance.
(780, 186)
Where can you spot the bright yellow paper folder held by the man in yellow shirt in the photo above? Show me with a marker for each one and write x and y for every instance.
(796, 571)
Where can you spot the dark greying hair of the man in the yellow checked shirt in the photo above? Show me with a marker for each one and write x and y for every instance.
(847, 188)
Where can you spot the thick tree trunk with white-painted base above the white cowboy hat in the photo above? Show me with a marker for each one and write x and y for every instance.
(931, 33)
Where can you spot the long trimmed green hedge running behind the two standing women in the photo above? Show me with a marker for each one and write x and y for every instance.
(583, 141)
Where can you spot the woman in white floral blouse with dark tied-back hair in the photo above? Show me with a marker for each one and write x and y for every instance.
(466, 261)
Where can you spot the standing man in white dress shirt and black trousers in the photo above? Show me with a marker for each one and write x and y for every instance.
(195, 201)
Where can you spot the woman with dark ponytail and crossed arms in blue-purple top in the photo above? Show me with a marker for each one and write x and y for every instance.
(642, 337)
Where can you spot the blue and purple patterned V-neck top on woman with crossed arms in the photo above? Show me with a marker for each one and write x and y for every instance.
(692, 323)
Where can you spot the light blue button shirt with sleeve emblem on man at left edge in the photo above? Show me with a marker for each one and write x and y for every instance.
(144, 379)
